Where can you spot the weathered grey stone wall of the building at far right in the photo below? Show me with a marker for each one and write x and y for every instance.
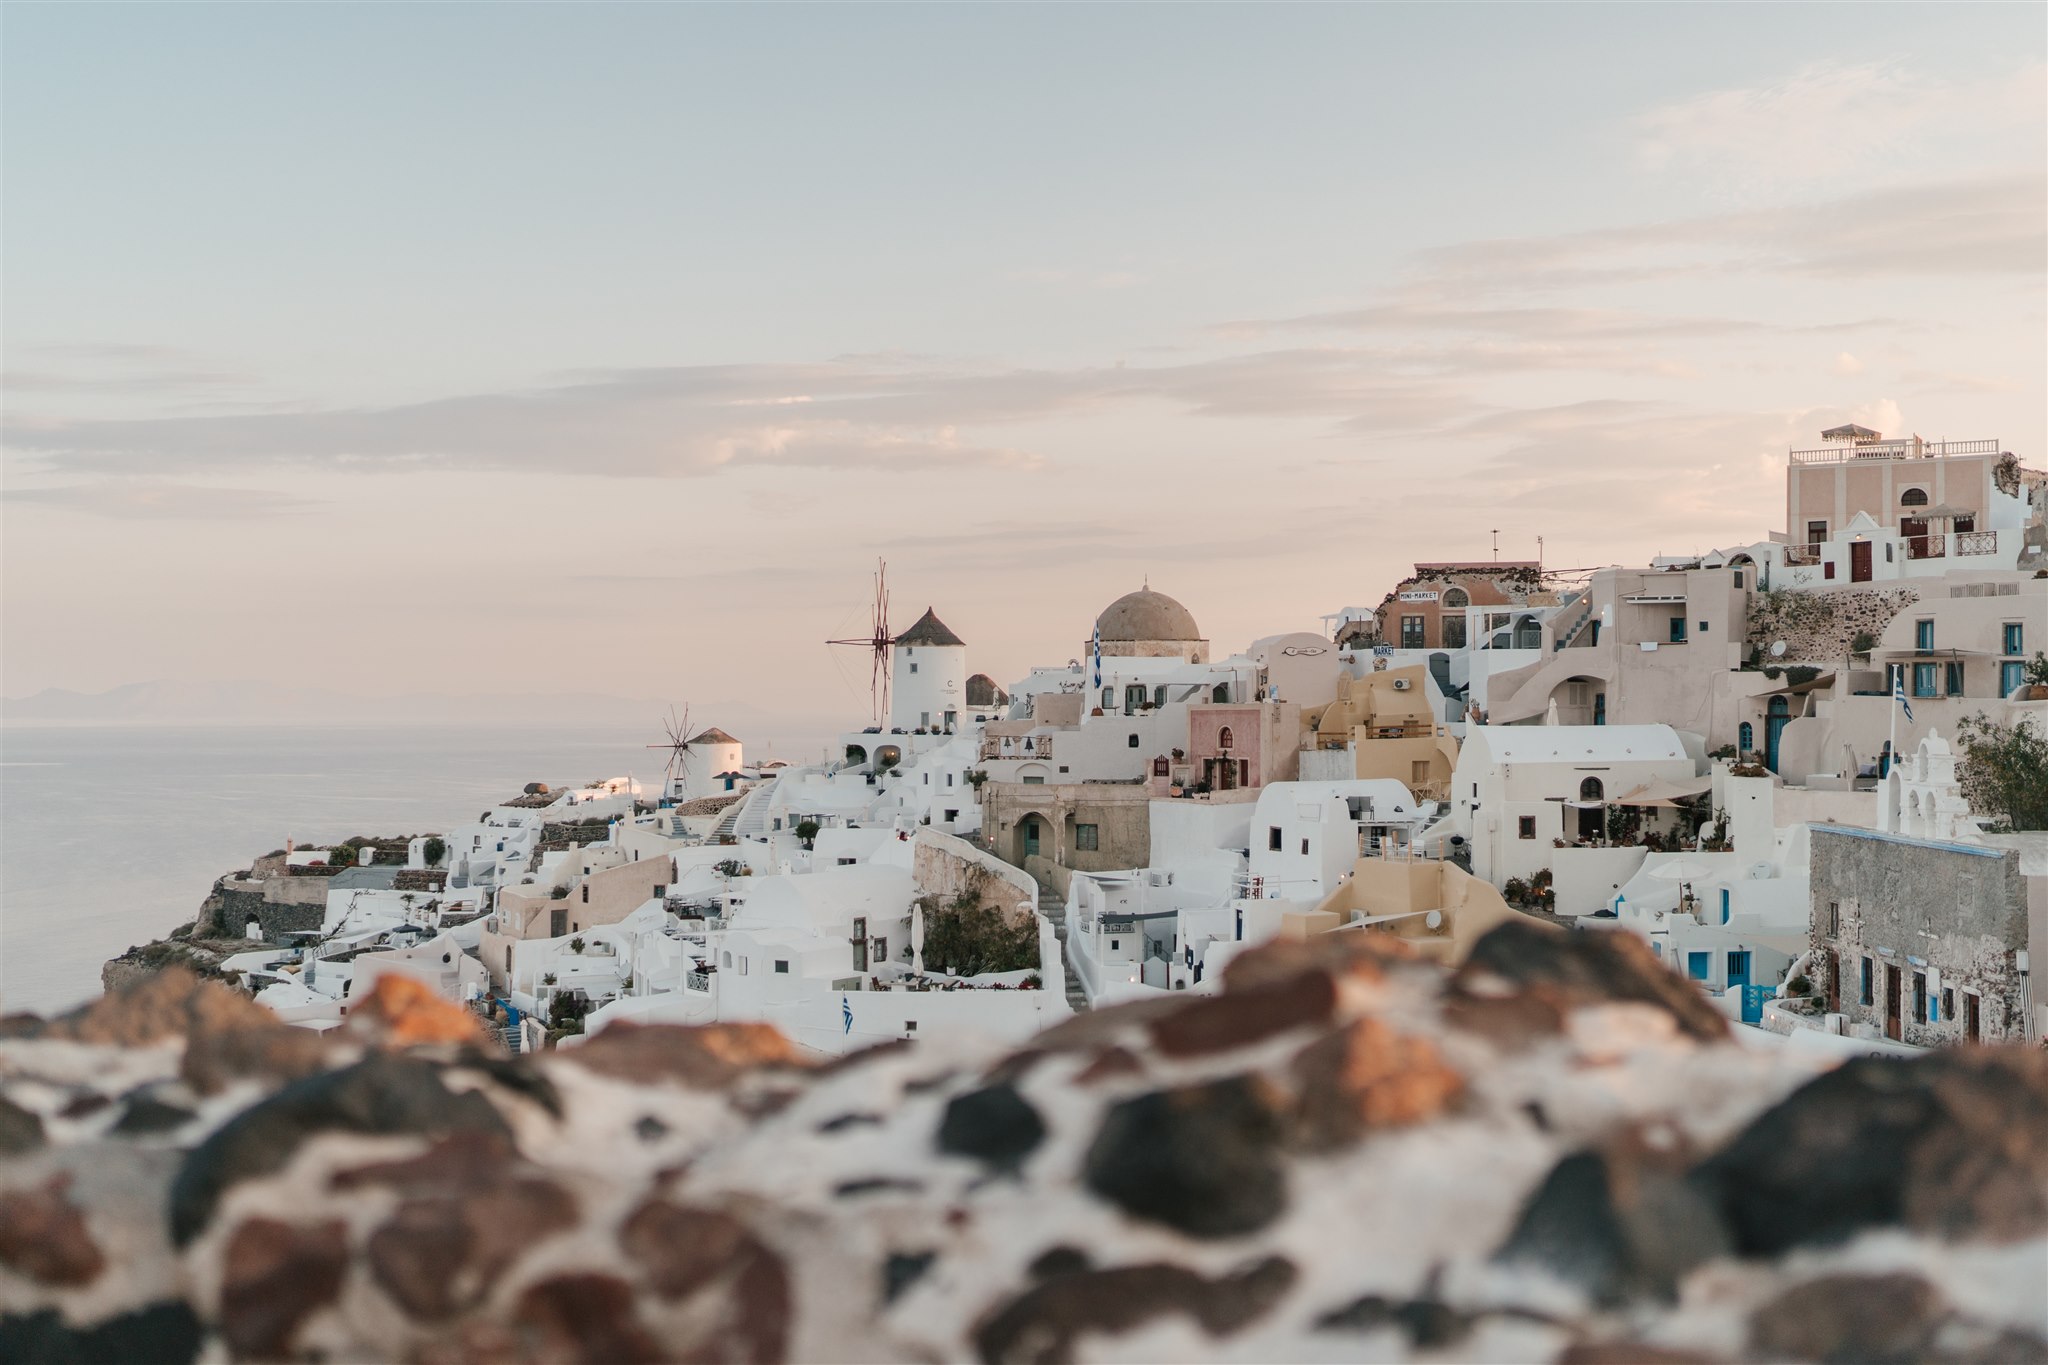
(1920, 908)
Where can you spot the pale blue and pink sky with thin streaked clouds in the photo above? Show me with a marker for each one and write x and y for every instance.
(603, 349)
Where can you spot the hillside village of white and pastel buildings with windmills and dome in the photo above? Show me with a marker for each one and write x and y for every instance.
(1758, 760)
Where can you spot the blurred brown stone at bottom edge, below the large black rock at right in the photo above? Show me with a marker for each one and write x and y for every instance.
(1850, 1319)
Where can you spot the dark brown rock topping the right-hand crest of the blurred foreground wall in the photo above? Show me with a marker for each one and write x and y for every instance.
(1578, 969)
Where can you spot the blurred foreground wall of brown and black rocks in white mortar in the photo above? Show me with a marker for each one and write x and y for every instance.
(1549, 1155)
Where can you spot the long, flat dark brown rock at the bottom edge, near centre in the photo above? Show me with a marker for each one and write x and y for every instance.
(1046, 1323)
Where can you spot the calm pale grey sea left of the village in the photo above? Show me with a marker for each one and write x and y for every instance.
(114, 836)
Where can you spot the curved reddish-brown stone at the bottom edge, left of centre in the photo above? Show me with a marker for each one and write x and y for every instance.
(689, 1249)
